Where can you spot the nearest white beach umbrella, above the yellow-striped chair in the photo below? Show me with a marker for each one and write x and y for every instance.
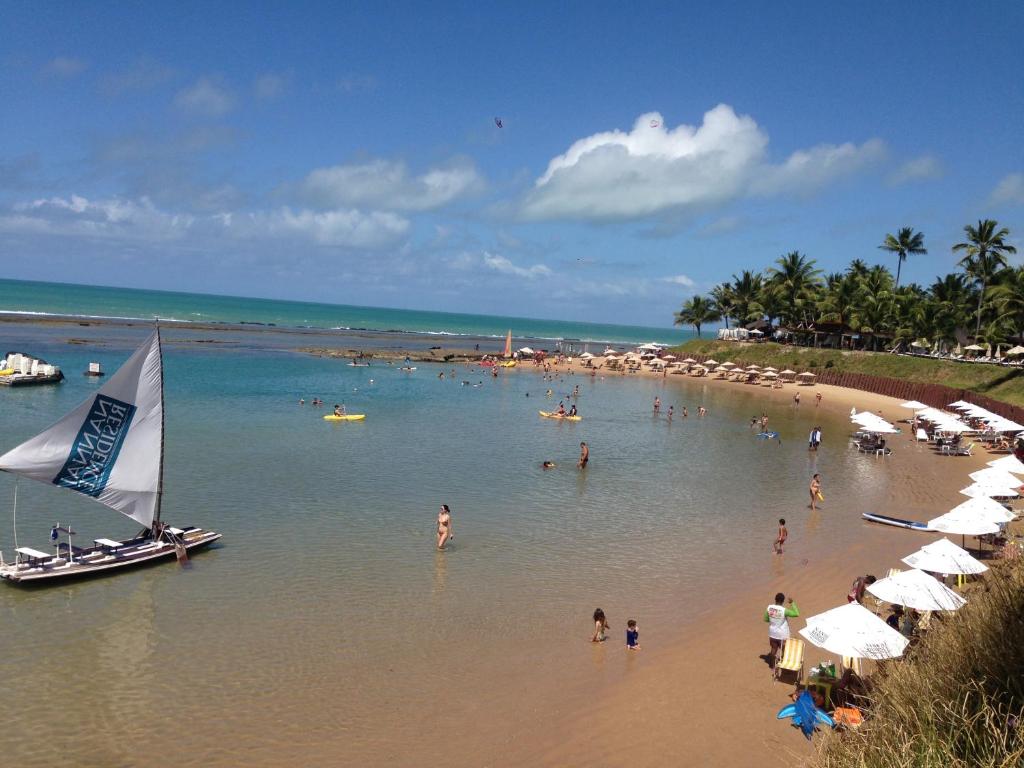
(852, 630)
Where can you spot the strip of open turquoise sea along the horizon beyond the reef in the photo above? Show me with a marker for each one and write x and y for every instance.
(95, 302)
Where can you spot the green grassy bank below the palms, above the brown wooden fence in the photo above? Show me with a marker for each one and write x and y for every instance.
(1001, 383)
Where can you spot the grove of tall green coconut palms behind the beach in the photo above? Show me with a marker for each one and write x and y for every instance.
(987, 297)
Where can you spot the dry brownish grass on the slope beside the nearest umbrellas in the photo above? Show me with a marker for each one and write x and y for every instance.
(957, 700)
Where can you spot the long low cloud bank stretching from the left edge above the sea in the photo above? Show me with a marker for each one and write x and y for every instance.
(141, 221)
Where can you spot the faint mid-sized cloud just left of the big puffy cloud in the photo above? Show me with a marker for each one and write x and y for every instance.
(383, 184)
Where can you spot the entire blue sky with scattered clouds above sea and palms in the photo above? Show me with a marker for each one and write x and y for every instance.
(352, 153)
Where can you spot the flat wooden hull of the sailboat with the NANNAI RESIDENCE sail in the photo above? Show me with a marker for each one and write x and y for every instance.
(99, 562)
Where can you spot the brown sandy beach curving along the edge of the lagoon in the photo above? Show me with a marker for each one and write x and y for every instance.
(706, 698)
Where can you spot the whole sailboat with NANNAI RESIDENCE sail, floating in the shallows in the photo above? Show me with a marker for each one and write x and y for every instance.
(110, 449)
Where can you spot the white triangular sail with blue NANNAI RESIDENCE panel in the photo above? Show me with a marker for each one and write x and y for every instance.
(110, 448)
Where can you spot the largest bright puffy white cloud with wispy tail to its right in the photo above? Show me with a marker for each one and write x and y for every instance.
(652, 170)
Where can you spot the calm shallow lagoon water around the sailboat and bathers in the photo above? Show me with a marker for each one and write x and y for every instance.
(326, 629)
